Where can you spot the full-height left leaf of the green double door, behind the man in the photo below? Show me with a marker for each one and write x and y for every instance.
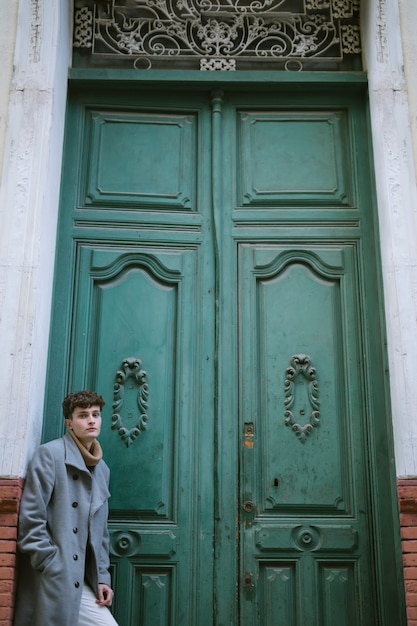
(141, 290)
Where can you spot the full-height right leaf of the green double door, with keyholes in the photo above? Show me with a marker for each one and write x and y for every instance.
(307, 303)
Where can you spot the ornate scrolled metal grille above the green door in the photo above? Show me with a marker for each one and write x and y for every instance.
(218, 34)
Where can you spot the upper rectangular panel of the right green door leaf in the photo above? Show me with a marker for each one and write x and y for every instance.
(301, 157)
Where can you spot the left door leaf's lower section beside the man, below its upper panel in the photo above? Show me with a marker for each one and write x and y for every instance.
(135, 333)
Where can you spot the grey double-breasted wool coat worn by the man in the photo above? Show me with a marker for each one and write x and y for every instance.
(63, 506)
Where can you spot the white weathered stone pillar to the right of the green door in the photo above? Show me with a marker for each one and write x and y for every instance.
(397, 208)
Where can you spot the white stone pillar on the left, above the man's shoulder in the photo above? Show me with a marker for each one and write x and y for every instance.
(29, 198)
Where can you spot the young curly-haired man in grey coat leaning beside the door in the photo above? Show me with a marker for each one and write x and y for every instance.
(64, 575)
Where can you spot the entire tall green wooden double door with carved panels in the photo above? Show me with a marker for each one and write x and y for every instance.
(217, 281)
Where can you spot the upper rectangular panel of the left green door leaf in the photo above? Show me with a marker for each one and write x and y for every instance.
(145, 174)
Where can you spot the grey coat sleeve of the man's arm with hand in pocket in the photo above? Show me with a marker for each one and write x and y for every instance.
(33, 536)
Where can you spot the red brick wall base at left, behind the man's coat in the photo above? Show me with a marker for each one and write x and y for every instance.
(10, 494)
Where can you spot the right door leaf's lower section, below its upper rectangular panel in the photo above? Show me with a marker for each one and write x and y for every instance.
(303, 469)
